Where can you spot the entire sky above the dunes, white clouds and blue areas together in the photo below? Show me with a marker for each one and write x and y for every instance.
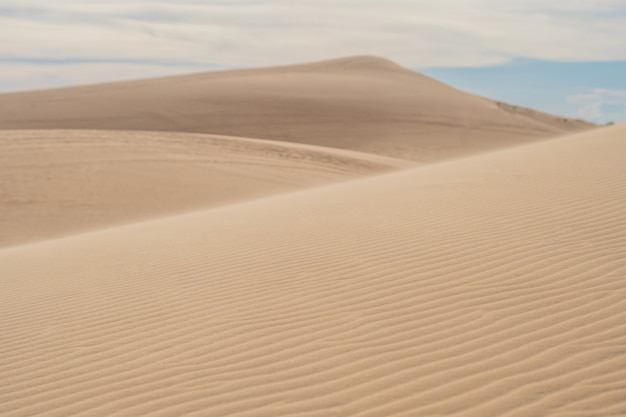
(563, 57)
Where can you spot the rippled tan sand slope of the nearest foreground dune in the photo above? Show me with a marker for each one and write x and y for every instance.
(488, 286)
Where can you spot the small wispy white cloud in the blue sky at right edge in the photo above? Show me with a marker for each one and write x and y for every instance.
(601, 105)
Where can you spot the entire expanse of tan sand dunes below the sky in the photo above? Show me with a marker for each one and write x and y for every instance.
(343, 238)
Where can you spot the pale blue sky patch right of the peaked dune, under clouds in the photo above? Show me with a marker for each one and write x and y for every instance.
(595, 91)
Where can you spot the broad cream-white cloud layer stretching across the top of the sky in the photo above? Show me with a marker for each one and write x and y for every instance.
(246, 33)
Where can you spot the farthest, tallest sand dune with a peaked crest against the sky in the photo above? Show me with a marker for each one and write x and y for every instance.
(360, 103)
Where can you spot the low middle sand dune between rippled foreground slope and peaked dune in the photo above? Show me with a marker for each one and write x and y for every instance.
(54, 183)
